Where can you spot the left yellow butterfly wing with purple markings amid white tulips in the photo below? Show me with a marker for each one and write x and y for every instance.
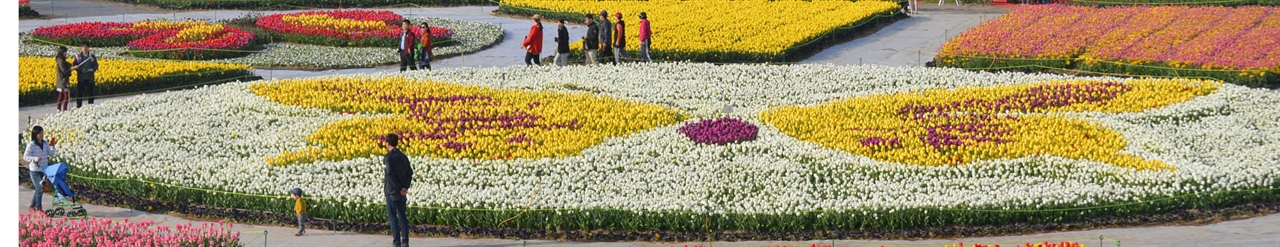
(456, 122)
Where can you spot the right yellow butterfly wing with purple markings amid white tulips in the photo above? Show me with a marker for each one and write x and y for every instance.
(952, 127)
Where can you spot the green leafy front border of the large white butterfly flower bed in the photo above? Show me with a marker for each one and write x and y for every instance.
(671, 226)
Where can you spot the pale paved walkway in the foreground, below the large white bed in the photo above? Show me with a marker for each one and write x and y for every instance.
(1250, 232)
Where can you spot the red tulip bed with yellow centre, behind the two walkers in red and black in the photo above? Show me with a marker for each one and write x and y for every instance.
(345, 28)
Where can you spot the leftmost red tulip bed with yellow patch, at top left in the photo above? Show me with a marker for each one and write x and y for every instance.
(158, 39)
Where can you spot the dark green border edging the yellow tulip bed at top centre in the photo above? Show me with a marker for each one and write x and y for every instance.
(793, 54)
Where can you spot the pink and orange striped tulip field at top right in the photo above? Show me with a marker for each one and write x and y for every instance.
(1238, 45)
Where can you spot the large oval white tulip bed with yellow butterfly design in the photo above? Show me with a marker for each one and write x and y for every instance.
(804, 149)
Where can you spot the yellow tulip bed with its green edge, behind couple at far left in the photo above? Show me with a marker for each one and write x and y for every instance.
(36, 76)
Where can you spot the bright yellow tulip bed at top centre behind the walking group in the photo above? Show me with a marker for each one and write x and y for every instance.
(721, 30)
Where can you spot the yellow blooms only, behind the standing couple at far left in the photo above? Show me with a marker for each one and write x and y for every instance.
(38, 74)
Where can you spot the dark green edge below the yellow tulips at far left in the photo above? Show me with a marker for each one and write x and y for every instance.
(163, 83)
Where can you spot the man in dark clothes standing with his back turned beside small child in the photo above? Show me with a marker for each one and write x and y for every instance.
(397, 180)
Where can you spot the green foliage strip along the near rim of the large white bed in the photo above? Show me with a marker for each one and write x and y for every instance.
(679, 222)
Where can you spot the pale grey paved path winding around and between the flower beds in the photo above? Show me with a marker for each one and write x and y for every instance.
(907, 43)
